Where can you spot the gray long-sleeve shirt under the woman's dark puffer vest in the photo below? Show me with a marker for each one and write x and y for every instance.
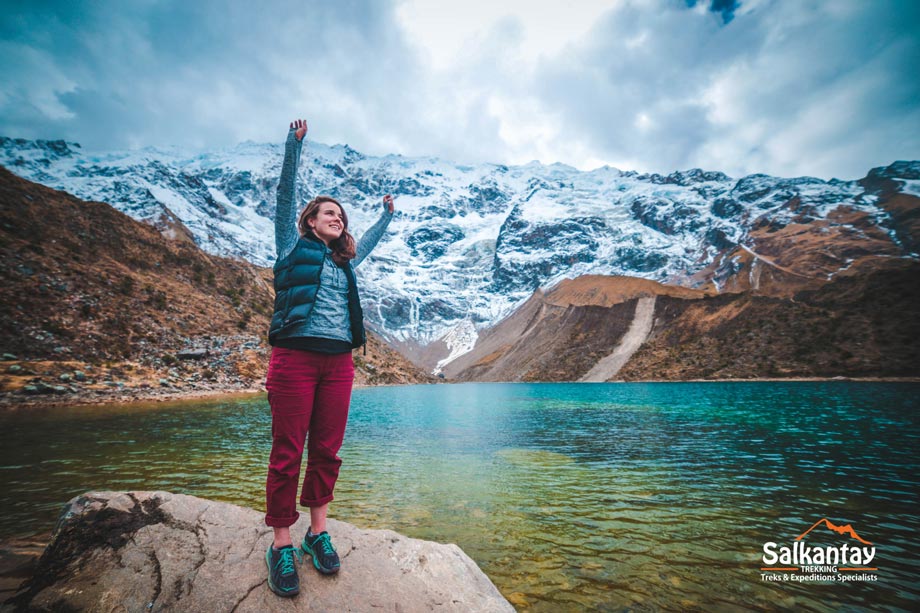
(329, 316)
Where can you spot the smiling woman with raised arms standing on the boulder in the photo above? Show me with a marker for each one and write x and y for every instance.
(316, 323)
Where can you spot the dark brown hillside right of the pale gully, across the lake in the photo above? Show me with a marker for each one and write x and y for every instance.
(862, 324)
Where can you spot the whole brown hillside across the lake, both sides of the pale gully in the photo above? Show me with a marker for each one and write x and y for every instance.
(864, 323)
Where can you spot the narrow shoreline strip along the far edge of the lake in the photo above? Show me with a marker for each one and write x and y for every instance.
(12, 401)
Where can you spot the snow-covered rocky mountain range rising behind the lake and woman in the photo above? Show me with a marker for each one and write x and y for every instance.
(469, 243)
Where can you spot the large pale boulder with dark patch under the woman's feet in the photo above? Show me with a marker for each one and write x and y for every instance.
(157, 551)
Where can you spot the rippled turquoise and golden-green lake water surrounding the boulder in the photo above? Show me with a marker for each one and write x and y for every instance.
(609, 497)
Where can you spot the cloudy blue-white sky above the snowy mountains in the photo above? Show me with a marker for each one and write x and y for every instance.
(787, 87)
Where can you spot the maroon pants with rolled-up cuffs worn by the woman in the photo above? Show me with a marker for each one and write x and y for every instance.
(307, 392)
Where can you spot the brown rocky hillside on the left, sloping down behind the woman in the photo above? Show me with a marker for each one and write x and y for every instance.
(86, 288)
